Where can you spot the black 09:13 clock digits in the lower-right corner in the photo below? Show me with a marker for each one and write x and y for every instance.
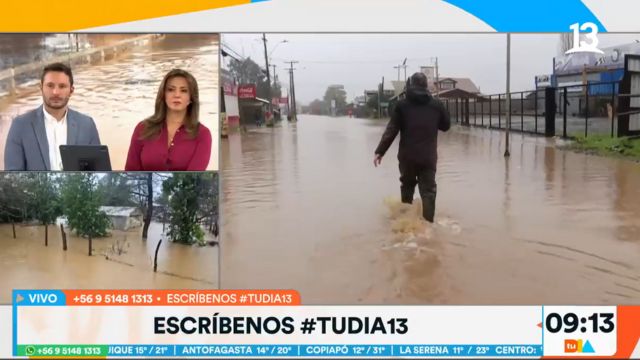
(570, 322)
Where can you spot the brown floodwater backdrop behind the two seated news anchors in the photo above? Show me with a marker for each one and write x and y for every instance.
(121, 92)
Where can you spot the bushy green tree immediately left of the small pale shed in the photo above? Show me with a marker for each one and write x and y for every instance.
(81, 205)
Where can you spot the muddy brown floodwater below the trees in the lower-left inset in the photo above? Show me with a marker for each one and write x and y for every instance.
(120, 261)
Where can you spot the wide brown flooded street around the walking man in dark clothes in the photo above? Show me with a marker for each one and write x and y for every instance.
(304, 208)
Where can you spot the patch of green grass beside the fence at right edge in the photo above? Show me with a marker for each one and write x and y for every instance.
(608, 146)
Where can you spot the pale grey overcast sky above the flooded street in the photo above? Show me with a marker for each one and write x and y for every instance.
(359, 61)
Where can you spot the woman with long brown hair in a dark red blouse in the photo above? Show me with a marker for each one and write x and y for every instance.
(172, 139)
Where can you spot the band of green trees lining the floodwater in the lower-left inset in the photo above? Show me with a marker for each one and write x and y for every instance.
(187, 201)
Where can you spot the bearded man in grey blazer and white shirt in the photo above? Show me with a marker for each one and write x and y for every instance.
(35, 137)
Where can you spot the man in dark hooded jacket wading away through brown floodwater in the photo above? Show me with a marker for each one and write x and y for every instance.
(418, 118)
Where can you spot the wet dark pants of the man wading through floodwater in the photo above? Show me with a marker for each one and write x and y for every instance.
(412, 175)
